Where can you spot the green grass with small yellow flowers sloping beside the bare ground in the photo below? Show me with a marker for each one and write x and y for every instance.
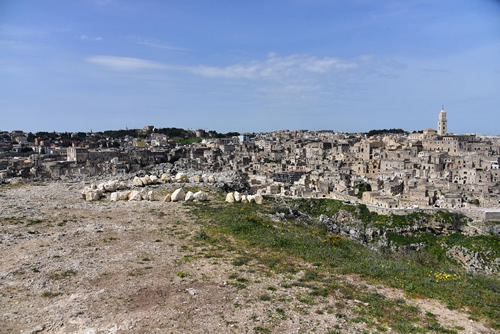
(416, 273)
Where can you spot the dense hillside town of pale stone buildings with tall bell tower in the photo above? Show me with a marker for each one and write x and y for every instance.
(390, 169)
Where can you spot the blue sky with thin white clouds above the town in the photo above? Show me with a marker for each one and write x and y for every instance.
(249, 66)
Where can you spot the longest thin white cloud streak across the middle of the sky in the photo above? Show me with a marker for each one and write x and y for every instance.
(289, 70)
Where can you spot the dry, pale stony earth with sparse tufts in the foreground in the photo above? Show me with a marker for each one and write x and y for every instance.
(70, 266)
